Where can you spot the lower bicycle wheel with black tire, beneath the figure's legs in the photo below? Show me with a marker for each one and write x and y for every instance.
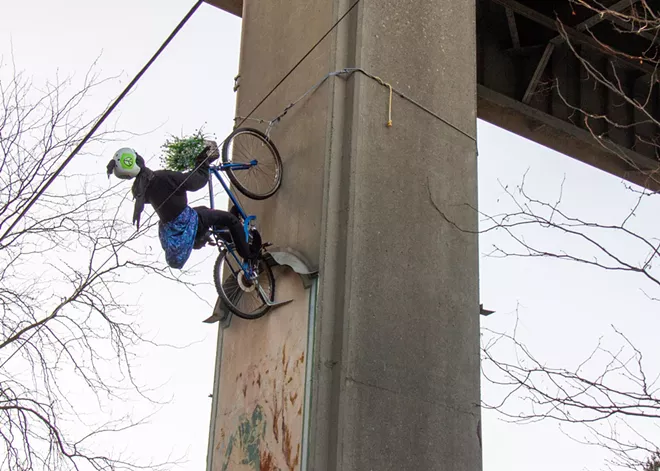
(222, 286)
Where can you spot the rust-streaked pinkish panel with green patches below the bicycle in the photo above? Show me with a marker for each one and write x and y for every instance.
(262, 388)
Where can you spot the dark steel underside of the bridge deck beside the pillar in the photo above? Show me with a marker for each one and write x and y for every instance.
(532, 64)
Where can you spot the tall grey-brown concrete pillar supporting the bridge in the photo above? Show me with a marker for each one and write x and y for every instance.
(392, 340)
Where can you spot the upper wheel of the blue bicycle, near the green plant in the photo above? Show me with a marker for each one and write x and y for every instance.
(245, 145)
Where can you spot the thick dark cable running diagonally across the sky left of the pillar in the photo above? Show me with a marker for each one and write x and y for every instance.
(102, 119)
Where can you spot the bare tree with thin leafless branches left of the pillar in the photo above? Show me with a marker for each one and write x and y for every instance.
(67, 336)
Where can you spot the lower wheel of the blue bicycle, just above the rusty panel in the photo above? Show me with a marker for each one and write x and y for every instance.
(240, 295)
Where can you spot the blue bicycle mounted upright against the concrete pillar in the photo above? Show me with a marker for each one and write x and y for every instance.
(254, 167)
